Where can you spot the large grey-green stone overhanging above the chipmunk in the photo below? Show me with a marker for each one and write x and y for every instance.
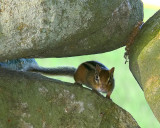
(58, 28)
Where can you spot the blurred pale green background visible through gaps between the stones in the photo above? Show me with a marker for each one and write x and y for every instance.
(127, 92)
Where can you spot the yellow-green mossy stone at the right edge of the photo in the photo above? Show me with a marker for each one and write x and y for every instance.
(145, 62)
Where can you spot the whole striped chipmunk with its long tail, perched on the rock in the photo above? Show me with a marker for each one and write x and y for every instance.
(93, 74)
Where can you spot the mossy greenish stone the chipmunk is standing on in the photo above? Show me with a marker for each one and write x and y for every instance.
(29, 100)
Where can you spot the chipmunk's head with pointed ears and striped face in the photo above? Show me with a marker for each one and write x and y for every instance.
(104, 79)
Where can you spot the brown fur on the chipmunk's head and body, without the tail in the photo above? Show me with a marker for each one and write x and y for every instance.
(84, 75)
